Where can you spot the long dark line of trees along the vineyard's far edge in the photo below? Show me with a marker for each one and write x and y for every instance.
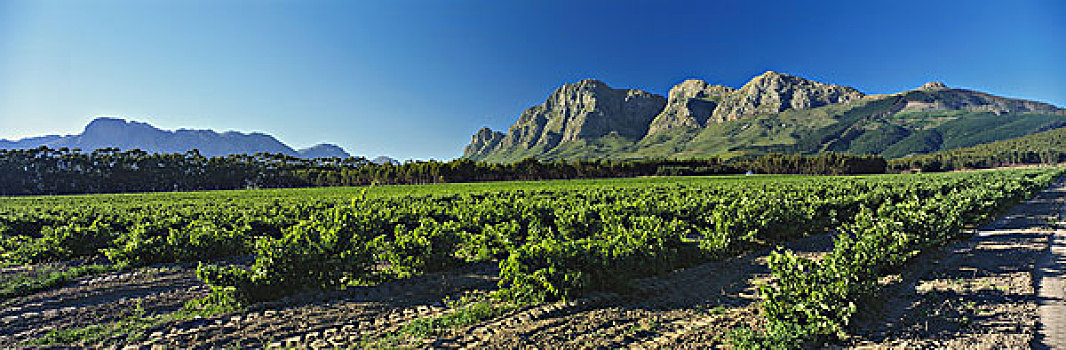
(46, 171)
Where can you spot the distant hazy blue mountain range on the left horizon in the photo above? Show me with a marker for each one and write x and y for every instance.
(105, 133)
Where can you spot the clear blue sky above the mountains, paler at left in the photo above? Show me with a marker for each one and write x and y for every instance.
(416, 79)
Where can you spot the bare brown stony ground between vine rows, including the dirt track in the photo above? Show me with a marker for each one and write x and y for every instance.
(981, 293)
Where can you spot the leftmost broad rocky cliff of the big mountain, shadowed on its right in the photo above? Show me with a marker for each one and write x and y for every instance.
(584, 110)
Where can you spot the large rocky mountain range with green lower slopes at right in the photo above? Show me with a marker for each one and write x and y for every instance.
(773, 113)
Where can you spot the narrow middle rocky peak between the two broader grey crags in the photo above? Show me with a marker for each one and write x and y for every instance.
(689, 106)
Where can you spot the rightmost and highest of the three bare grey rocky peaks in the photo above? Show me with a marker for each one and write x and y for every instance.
(776, 92)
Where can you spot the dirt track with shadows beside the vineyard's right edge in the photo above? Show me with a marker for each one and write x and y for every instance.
(989, 292)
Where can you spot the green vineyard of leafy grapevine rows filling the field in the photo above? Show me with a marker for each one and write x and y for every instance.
(540, 244)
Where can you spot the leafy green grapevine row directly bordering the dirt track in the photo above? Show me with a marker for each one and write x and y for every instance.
(817, 299)
